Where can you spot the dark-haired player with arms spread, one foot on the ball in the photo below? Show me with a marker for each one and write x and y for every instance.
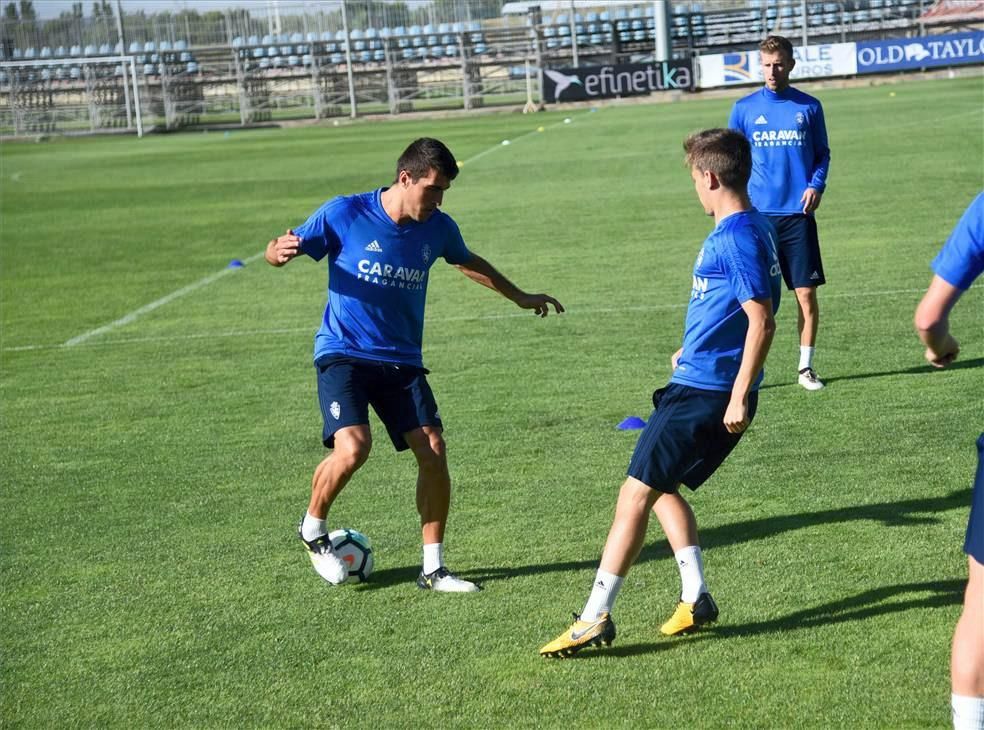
(380, 246)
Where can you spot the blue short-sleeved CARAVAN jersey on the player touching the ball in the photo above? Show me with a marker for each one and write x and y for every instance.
(377, 276)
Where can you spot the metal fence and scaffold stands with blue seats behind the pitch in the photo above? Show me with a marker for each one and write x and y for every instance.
(277, 60)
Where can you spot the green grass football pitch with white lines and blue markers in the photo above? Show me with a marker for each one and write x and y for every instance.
(154, 470)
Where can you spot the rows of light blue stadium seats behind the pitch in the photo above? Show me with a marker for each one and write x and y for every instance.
(621, 29)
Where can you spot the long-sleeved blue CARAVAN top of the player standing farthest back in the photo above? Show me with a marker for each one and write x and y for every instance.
(790, 152)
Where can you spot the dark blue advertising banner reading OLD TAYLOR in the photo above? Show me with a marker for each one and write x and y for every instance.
(924, 52)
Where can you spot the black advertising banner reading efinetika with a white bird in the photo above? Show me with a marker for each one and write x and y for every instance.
(606, 82)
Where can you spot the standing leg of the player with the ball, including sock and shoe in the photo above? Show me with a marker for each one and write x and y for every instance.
(433, 504)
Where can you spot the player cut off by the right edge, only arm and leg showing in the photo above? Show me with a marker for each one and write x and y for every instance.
(959, 262)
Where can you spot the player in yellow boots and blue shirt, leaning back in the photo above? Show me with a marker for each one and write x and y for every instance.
(711, 398)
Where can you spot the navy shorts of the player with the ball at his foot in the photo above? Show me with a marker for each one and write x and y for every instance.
(399, 394)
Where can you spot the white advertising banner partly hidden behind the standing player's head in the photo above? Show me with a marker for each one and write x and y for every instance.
(812, 62)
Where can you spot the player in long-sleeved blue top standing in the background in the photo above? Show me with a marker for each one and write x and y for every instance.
(789, 175)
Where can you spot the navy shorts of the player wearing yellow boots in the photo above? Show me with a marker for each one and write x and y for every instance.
(685, 440)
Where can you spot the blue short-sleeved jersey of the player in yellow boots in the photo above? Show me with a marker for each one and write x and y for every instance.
(738, 262)
